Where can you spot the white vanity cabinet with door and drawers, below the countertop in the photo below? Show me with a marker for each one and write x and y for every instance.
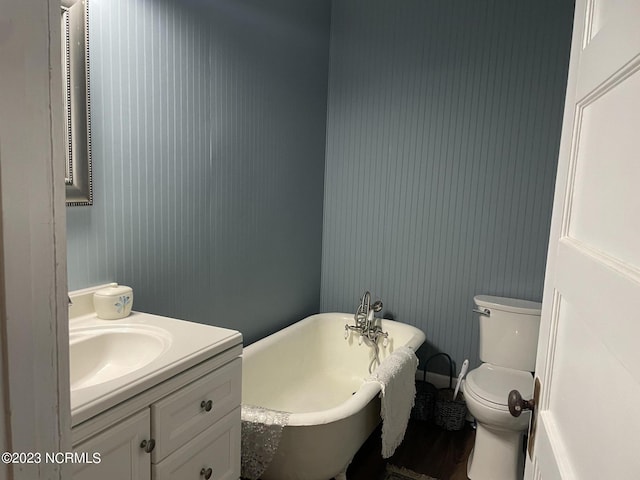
(185, 428)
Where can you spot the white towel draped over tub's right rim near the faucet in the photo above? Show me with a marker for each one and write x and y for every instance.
(396, 376)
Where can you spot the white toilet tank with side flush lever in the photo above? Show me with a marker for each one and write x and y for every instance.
(508, 331)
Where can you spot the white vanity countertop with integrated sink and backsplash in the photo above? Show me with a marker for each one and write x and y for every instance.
(111, 361)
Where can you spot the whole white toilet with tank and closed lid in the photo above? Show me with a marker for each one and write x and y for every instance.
(508, 343)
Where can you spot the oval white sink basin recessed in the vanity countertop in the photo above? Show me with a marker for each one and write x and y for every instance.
(99, 354)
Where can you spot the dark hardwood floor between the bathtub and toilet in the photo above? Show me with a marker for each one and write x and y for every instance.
(426, 449)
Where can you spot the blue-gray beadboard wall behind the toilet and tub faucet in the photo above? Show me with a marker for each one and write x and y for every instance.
(443, 129)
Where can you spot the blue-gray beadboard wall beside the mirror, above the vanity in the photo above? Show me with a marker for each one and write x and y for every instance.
(208, 126)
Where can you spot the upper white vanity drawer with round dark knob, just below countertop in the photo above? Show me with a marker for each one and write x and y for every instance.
(179, 417)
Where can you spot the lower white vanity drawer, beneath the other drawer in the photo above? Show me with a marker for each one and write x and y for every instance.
(217, 448)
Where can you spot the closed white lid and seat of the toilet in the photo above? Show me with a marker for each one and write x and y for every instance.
(493, 383)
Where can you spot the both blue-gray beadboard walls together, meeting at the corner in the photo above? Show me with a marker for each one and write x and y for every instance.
(209, 119)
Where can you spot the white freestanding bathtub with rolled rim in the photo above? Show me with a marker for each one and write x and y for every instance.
(310, 370)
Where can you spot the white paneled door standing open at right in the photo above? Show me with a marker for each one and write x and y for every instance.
(588, 418)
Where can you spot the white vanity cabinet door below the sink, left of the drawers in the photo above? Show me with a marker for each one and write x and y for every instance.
(121, 456)
